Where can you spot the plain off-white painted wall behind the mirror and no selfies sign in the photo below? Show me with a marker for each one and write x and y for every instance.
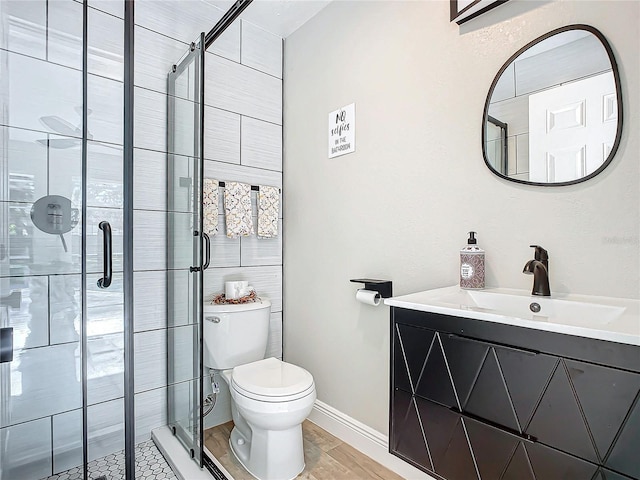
(400, 206)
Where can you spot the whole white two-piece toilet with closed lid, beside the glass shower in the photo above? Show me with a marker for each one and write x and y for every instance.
(270, 398)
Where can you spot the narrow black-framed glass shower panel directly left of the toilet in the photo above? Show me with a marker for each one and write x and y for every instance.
(185, 248)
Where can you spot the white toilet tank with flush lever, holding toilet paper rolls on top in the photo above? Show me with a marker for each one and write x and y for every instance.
(235, 334)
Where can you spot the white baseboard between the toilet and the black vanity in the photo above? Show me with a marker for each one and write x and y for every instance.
(364, 438)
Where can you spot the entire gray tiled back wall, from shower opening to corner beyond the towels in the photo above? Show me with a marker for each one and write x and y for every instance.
(243, 142)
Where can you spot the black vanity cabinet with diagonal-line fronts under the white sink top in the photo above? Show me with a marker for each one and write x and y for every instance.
(479, 400)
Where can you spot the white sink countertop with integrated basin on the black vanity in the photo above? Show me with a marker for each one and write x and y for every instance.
(604, 318)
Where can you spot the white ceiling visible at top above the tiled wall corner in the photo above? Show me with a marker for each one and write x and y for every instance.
(282, 17)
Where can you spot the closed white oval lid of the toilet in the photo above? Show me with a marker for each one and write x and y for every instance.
(272, 378)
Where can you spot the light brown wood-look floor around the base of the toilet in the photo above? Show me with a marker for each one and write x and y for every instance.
(326, 457)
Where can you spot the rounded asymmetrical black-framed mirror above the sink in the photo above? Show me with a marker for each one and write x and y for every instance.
(553, 115)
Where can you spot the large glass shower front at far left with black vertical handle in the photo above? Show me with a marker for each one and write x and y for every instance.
(61, 231)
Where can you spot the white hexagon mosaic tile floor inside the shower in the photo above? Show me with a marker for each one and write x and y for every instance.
(150, 465)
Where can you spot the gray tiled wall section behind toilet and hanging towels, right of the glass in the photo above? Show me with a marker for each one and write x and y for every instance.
(243, 142)
